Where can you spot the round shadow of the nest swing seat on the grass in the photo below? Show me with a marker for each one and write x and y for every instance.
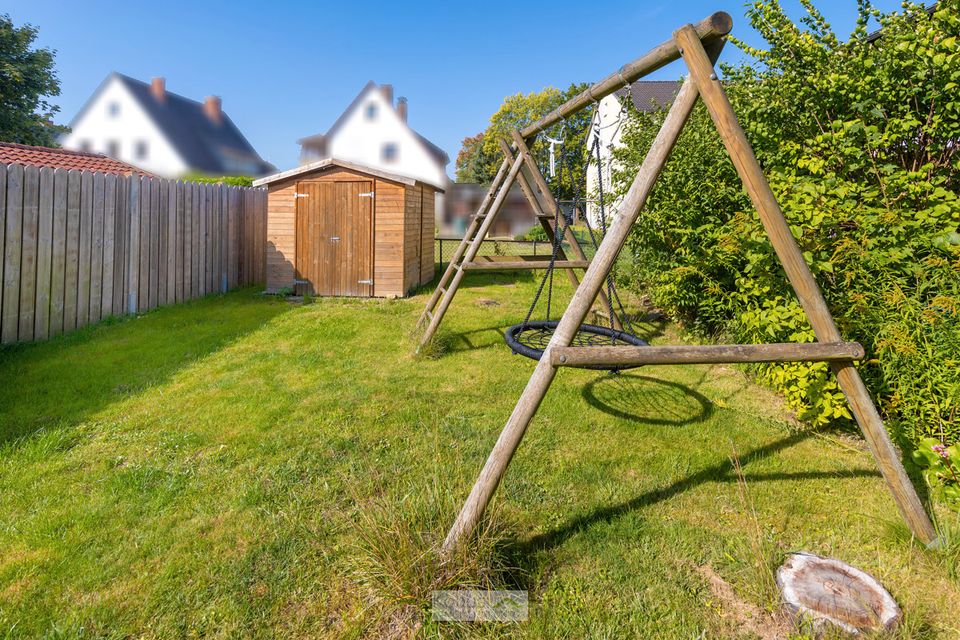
(647, 400)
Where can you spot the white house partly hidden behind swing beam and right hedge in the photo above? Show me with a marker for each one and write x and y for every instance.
(647, 96)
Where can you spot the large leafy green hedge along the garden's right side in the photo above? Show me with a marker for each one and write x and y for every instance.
(858, 140)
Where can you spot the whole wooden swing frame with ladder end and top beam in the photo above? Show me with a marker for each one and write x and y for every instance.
(699, 46)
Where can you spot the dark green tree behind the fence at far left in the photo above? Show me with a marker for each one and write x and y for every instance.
(27, 77)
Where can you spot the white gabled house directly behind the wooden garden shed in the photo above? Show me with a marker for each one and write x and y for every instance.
(373, 131)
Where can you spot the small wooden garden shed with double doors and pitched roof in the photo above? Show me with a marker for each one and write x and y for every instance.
(336, 228)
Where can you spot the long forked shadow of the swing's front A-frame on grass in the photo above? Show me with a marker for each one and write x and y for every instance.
(524, 551)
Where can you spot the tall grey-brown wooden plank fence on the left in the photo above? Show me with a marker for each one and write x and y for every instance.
(76, 246)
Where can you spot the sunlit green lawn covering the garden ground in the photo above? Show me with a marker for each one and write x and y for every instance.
(240, 466)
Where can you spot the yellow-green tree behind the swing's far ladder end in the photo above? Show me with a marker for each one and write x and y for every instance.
(480, 155)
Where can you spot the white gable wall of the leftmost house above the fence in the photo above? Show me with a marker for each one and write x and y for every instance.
(97, 127)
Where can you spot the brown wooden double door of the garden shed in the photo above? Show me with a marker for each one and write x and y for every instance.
(335, 238)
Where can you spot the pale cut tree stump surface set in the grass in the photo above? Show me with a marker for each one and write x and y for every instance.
(824, 590)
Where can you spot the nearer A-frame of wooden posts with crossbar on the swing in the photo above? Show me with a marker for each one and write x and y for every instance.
(688, 42)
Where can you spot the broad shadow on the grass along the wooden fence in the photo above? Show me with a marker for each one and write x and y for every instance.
(58, 383)
